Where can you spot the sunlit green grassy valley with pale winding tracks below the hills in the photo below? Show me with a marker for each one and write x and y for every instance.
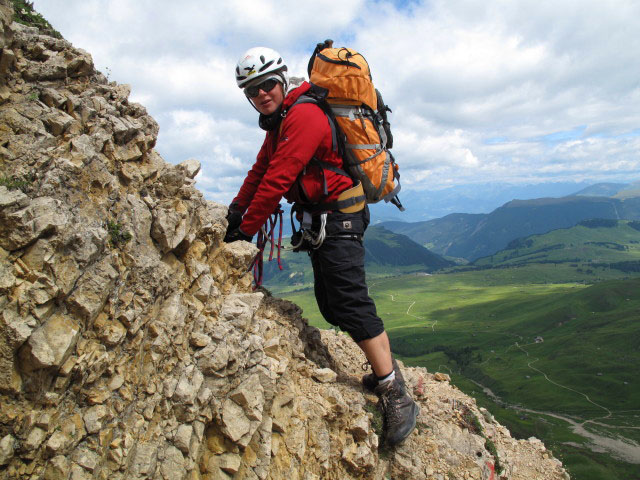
(549, 338)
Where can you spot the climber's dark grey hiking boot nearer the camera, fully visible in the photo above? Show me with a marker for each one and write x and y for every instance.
(400, 411)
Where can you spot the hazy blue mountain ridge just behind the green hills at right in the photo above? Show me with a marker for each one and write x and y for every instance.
(472, 236)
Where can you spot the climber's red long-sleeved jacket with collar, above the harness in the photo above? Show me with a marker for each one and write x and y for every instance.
(283, 159)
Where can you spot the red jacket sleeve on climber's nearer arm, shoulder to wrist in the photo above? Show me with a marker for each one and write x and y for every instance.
(303, 130)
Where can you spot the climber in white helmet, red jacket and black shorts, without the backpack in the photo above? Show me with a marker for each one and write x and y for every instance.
(297, 161)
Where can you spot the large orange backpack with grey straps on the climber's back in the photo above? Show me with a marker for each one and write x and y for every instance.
(361, 118)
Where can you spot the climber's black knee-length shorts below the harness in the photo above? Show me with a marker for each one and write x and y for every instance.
(339, 277)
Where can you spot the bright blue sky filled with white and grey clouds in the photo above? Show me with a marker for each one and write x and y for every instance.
(512, 91)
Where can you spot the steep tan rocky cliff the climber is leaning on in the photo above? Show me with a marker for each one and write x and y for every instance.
(131, 343)
